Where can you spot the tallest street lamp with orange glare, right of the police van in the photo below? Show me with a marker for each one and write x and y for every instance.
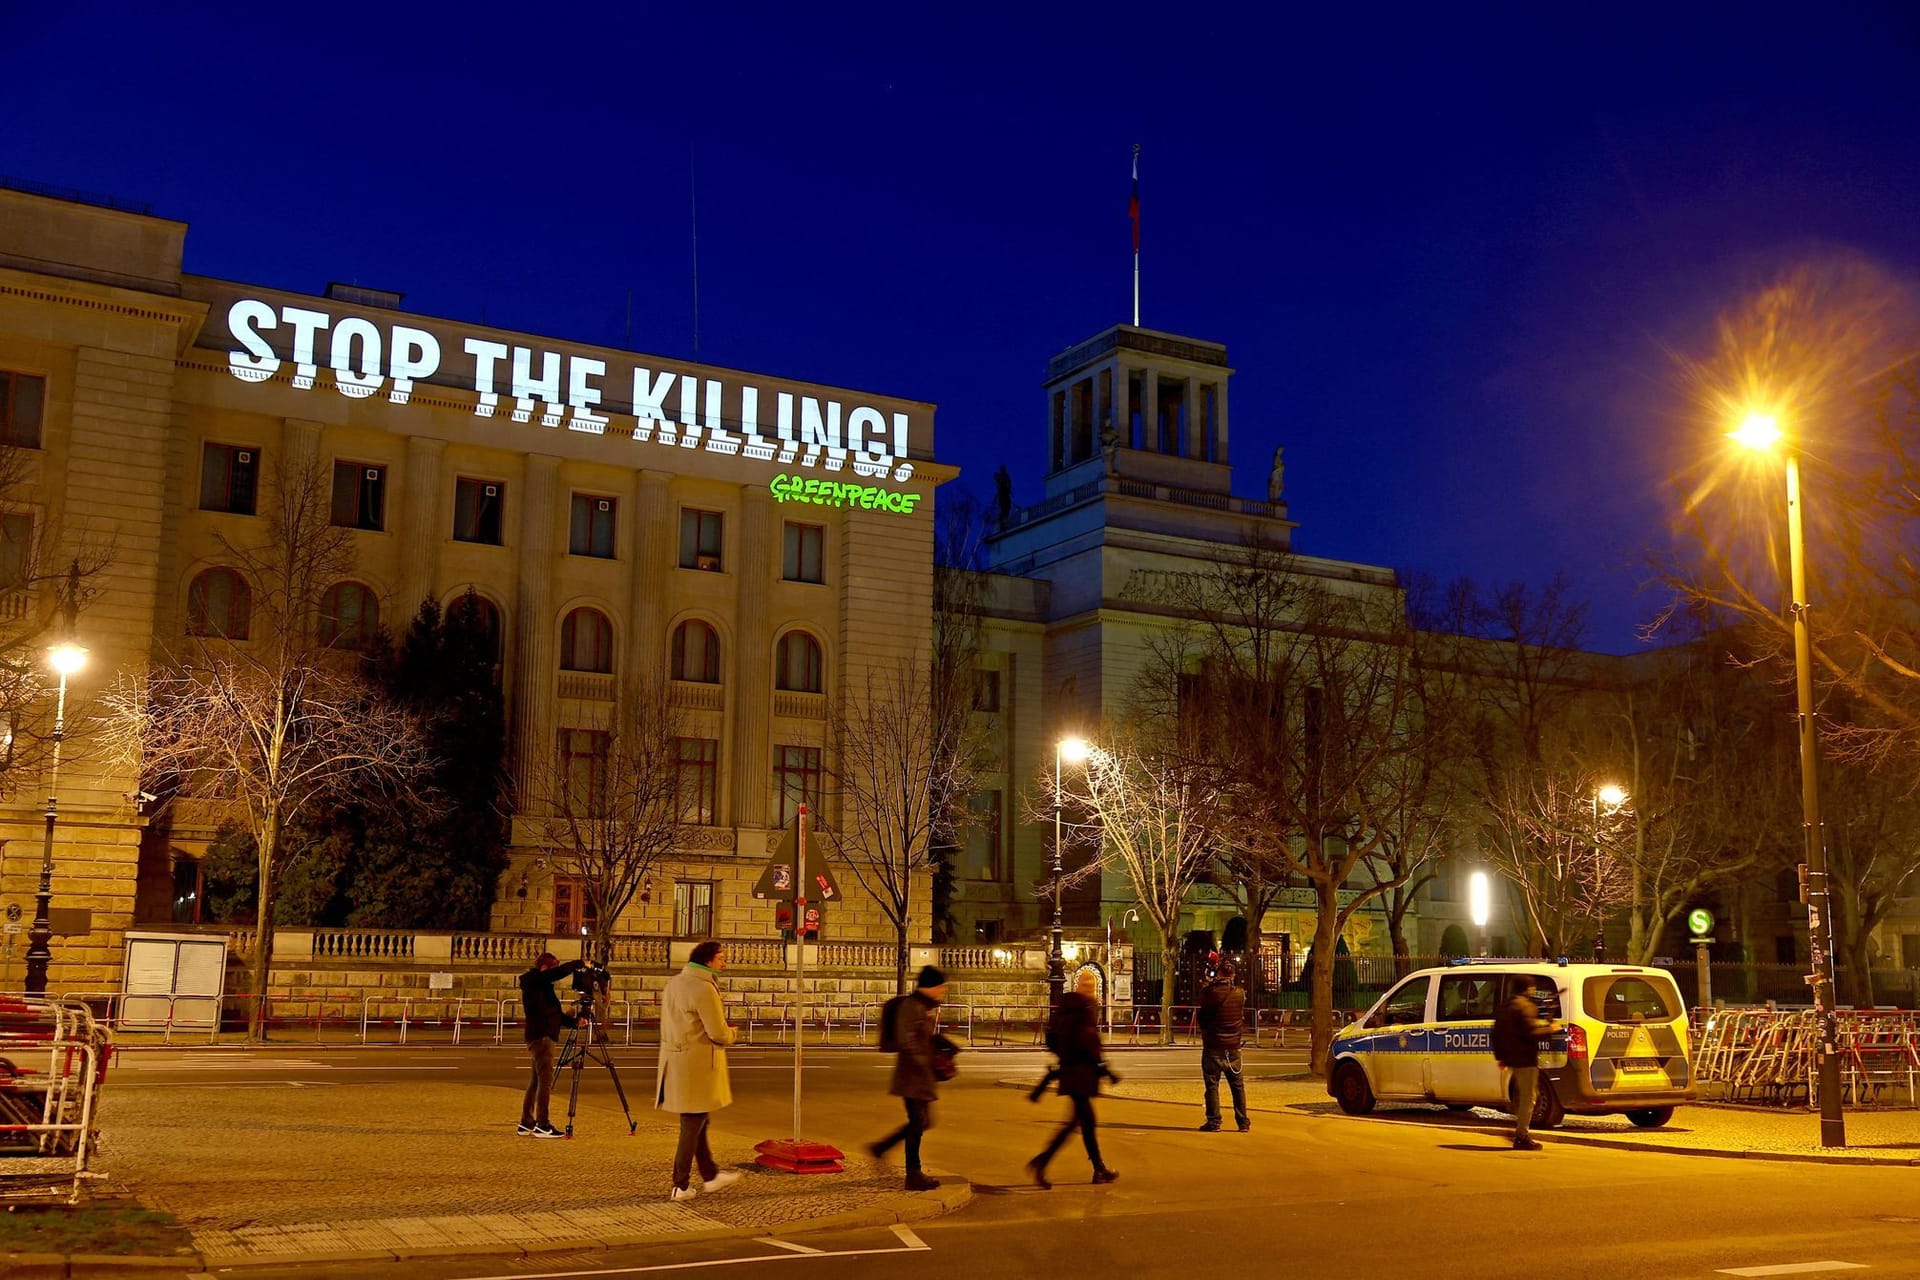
(1762, 433)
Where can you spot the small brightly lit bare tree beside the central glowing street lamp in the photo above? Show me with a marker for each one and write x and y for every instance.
(1155, 817)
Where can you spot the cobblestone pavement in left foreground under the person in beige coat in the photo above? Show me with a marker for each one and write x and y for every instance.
(420, 1170)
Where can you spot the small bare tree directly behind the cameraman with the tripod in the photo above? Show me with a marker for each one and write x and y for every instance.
(610, 801)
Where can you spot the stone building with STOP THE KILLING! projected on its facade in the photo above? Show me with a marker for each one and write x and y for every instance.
(756, 540)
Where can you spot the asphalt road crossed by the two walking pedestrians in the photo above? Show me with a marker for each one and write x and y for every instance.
(1301, 1197)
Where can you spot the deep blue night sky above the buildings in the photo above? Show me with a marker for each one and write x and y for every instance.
(1451, 249)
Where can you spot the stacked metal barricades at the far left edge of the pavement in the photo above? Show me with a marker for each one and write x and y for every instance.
(53, 1062)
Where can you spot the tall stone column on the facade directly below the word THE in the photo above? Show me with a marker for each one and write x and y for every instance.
(535, 628)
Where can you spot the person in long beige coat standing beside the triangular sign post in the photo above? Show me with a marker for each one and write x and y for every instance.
(694, 1083)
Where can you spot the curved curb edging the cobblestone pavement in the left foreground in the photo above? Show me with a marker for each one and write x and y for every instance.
(953, 1195)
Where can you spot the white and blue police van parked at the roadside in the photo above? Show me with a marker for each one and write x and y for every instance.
(1623, 1047)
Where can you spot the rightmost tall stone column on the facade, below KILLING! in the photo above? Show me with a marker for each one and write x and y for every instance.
(754, 659)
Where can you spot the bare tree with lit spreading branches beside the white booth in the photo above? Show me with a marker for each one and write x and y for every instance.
(279, 723)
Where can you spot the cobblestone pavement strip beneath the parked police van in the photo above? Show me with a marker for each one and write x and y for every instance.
(1877, 1135)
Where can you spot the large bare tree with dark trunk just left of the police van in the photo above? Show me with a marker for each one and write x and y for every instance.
(1307, 711)
